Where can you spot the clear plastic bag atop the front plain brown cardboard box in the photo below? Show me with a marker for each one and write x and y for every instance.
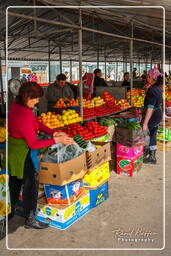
(59, 153)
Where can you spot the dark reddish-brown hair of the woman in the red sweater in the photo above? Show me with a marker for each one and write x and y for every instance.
(29, 90)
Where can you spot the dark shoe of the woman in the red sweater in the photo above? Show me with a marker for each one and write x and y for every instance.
(31, 222)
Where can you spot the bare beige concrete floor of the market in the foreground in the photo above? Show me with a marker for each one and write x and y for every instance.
(133, 203)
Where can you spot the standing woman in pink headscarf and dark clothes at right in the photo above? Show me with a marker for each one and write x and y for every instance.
(152, 112)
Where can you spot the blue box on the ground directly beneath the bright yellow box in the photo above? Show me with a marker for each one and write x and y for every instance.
(98, 195)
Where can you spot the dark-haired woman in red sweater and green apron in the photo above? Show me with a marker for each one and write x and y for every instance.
(23, 143)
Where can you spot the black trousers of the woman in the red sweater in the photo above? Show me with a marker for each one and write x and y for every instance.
(30, 187)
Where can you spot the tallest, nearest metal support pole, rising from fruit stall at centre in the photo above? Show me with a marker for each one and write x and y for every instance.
(80, 63)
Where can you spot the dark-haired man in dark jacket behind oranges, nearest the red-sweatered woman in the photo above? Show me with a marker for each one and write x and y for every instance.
(59, 89)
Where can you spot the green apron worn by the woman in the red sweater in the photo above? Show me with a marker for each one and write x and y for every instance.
(17, 152)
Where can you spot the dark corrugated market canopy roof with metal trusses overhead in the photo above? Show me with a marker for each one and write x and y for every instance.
(31, 40)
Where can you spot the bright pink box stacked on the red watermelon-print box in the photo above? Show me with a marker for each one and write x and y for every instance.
(129, 152)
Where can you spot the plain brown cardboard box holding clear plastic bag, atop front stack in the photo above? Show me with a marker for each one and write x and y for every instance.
(63, 173)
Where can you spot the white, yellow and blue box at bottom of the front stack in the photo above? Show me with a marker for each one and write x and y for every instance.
(62, 217)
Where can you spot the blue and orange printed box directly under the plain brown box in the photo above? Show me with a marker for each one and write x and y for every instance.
(63, 195)
